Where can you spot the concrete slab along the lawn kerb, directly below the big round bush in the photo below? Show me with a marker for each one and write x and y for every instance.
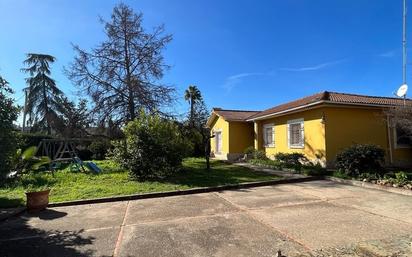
(176, 207)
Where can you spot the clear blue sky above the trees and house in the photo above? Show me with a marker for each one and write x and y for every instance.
(241, 54)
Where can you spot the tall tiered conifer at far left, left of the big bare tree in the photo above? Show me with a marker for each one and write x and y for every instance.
(43, 97)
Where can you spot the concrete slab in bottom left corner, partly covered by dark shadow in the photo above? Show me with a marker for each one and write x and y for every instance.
(63, 244)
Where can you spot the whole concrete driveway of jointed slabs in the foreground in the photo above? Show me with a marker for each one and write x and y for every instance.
(318, 218)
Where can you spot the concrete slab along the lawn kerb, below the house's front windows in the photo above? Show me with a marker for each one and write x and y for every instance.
(264, 197)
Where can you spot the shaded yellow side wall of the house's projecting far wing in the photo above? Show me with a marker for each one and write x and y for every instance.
(241, 136)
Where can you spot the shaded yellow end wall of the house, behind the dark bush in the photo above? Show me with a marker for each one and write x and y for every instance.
(346, 126)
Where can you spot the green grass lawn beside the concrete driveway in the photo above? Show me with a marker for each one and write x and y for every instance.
(114, 181)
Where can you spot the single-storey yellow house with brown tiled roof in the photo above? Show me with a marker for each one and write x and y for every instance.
(319, 126)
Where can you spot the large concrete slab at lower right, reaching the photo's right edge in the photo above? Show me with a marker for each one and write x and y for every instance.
(320, 225)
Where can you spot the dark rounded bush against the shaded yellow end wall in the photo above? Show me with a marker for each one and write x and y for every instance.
(359, 159)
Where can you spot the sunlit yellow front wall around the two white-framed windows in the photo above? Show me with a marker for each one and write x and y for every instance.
(314, 135)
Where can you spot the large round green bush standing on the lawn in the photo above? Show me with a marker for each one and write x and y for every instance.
(154, 147)
